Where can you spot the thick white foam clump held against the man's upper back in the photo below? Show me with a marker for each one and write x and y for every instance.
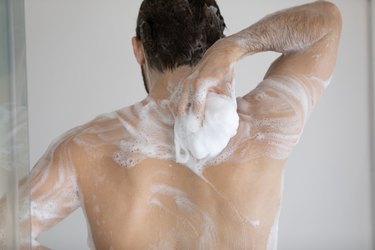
(205, 140)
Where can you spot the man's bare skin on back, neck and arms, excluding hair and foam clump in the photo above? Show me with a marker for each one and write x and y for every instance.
(156, 203)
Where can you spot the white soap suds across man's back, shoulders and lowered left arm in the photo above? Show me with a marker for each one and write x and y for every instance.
(267, 122)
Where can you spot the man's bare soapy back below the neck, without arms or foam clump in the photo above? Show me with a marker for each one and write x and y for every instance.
(136, 196)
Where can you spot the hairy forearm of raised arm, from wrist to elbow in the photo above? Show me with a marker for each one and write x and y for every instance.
(286, 31)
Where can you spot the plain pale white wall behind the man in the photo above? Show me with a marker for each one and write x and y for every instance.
(80, 64)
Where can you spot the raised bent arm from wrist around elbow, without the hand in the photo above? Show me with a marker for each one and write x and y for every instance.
(306, 35)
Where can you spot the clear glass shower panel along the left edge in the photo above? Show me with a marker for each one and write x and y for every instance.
(14, 162)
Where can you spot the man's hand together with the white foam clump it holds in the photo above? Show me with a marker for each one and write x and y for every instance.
(206, 108)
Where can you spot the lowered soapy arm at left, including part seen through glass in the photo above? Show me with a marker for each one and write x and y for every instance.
(53, 191)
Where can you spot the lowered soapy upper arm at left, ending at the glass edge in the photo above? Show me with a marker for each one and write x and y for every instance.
(54, 188)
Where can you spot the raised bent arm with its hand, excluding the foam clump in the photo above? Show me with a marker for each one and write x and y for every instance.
(306, 35)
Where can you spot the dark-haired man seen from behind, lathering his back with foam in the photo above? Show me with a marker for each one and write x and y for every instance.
(143, 175)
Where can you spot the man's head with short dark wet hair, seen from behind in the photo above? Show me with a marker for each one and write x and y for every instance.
(174, 33)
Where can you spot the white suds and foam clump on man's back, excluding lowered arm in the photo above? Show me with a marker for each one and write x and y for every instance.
(268, 122)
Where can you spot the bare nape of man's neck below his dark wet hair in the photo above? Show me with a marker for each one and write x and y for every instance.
(162, 85)
